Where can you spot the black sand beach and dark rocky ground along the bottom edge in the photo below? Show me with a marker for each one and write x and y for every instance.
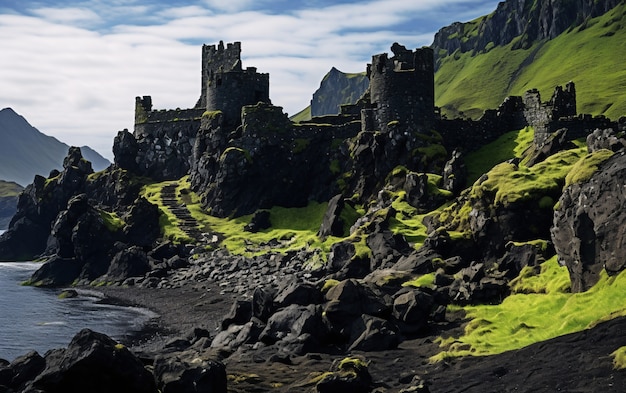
(173, 355)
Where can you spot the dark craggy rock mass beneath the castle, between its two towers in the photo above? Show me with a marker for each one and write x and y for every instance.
(266, 162)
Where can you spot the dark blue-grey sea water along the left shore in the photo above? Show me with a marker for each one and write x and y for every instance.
(37, 319)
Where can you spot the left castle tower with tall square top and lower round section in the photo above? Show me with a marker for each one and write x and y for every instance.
(226, 86)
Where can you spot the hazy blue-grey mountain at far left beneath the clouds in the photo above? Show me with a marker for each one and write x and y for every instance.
(26, 152)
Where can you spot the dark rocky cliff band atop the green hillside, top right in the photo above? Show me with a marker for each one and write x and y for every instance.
(530, 20)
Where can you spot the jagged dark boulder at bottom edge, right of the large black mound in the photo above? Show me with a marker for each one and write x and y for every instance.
(189, 373)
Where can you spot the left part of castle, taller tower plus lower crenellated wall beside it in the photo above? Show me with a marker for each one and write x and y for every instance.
(165, 138)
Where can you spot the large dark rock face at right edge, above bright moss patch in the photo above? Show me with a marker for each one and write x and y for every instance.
(590, 225)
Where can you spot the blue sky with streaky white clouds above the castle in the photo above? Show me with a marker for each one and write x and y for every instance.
(73, 68)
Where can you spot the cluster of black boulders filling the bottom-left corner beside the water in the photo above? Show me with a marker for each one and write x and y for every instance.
(93, 362)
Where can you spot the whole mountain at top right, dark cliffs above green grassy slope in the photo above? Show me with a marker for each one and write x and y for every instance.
(539, 44)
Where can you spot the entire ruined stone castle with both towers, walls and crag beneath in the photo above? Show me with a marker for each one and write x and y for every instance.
(243, 153)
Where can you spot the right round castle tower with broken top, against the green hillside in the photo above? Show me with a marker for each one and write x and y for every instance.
(402, 89)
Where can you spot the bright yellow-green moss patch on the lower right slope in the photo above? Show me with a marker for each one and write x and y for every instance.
(547, 311)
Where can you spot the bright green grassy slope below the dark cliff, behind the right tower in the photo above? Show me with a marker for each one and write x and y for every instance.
(590, 55)
